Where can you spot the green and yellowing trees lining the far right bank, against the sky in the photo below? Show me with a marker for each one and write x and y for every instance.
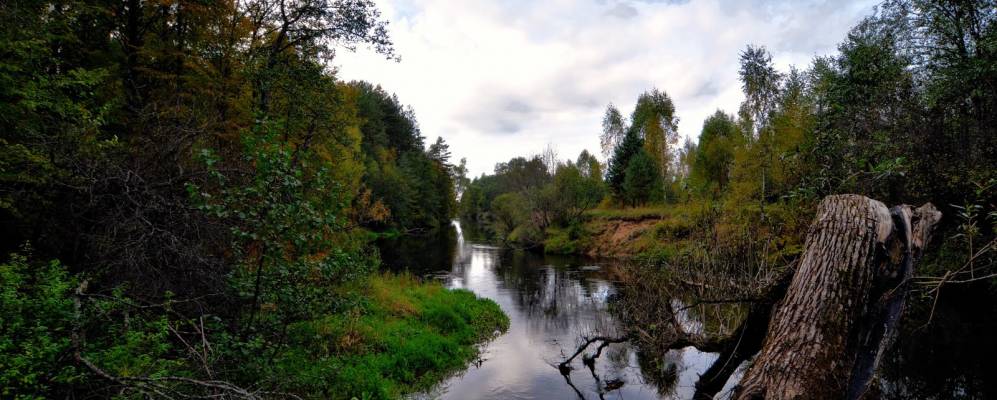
(904, 113)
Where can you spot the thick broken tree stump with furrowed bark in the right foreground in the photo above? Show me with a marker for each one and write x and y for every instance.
(827, 335)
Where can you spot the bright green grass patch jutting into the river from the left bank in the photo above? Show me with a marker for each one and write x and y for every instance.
(403, 336)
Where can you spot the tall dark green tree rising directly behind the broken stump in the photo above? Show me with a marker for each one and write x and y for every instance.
(865, 114)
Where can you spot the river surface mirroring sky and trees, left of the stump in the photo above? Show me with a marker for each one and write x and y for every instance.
(552, 302)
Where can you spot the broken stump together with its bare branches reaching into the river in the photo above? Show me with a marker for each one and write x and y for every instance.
(848, 289)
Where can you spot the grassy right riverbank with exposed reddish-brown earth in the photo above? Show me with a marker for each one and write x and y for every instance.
(663, 234)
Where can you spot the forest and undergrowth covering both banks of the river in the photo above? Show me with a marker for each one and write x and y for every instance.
(191, 197)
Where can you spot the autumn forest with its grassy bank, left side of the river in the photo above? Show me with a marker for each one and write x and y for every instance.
(187, 200)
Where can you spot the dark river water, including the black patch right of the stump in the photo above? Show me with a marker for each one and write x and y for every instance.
(555, 301)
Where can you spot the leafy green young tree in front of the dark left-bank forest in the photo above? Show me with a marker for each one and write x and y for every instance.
(288, 222)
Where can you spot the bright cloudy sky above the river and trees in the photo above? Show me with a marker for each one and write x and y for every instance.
(498, 79)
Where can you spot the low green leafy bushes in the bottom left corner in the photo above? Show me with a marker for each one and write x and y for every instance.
(45, 323)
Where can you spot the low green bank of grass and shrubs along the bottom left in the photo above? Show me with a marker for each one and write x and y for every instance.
(389, 335)
